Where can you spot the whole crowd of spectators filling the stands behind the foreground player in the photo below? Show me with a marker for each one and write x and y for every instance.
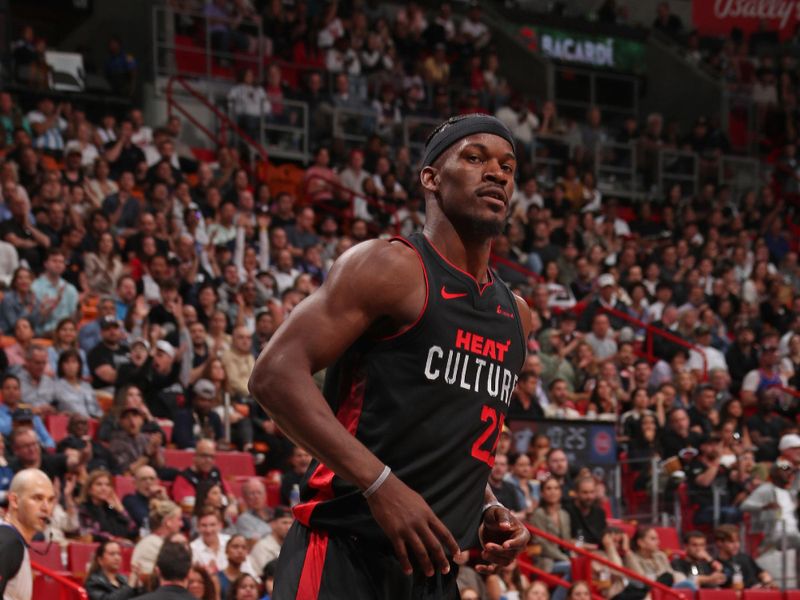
(140, 284)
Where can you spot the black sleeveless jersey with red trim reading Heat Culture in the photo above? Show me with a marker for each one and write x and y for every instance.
(430, 402)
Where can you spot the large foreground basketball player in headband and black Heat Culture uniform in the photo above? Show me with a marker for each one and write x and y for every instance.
(425, 345)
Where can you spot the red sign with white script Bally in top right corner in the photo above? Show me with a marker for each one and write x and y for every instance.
(719, 17)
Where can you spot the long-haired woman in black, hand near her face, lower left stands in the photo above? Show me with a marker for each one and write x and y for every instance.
(101, 513)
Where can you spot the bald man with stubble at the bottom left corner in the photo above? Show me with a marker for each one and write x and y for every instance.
(31, 499)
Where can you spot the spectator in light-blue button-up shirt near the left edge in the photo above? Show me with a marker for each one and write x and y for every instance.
(58, 299)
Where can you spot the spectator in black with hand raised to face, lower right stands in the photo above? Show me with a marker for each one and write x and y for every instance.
(705, 473)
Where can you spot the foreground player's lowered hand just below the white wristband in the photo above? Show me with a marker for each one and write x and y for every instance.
(412, 527)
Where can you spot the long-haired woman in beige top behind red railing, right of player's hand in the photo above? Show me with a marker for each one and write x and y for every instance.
(551, 518)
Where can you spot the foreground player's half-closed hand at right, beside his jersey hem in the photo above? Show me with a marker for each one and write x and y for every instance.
(503, 536)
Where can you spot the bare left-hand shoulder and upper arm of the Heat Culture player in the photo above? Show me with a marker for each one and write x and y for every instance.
(380, 289)
